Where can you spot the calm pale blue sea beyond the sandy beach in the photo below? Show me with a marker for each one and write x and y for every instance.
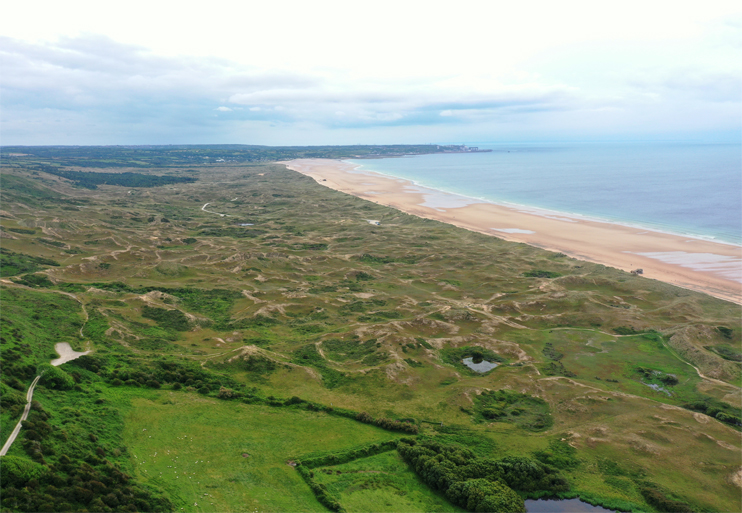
(688, 189)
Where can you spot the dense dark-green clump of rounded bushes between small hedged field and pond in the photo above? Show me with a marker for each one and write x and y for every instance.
(449, 468)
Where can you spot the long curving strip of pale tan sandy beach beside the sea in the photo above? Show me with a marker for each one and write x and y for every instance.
(697, 264)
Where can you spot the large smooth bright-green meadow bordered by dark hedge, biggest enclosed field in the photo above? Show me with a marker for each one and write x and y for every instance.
(200, 444)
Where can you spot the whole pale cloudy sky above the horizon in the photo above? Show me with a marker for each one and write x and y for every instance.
(381, 72)
